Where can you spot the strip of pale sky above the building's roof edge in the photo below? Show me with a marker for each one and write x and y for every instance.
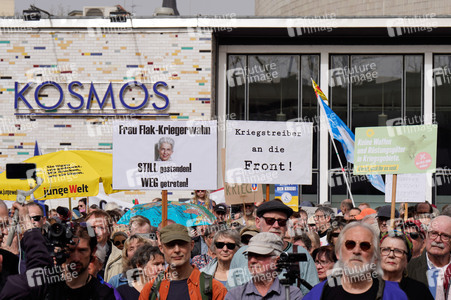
(146, 7)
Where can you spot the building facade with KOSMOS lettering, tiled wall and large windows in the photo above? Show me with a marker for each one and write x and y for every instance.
(375, 71)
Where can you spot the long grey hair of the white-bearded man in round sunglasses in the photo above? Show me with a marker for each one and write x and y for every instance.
(376, 259)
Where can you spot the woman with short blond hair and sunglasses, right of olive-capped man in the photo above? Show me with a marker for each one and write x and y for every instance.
(225, 244)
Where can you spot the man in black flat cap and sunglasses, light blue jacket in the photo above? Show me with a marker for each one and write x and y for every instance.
(272, 216)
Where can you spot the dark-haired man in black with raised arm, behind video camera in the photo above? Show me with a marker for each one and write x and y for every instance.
(46, 280)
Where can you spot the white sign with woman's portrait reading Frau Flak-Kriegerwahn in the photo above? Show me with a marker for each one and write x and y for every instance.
(165, 155)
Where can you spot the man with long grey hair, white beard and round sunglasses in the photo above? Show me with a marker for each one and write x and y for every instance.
(357, 273)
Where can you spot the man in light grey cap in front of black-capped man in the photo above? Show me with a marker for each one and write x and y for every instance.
(263, 252)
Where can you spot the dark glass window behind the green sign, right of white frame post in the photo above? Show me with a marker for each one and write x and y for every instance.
(371, 90)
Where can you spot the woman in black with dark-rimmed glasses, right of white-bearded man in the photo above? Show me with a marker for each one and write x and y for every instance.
(396, 252)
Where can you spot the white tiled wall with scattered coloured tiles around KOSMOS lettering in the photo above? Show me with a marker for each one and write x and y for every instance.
(180, 59)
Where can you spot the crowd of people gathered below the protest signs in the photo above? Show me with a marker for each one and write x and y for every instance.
(253, 251)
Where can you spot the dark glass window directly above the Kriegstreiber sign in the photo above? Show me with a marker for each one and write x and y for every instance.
(275, 88)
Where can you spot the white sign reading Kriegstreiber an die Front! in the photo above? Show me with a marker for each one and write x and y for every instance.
(269, 152)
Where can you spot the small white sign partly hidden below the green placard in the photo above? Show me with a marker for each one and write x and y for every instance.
(409, 187)
